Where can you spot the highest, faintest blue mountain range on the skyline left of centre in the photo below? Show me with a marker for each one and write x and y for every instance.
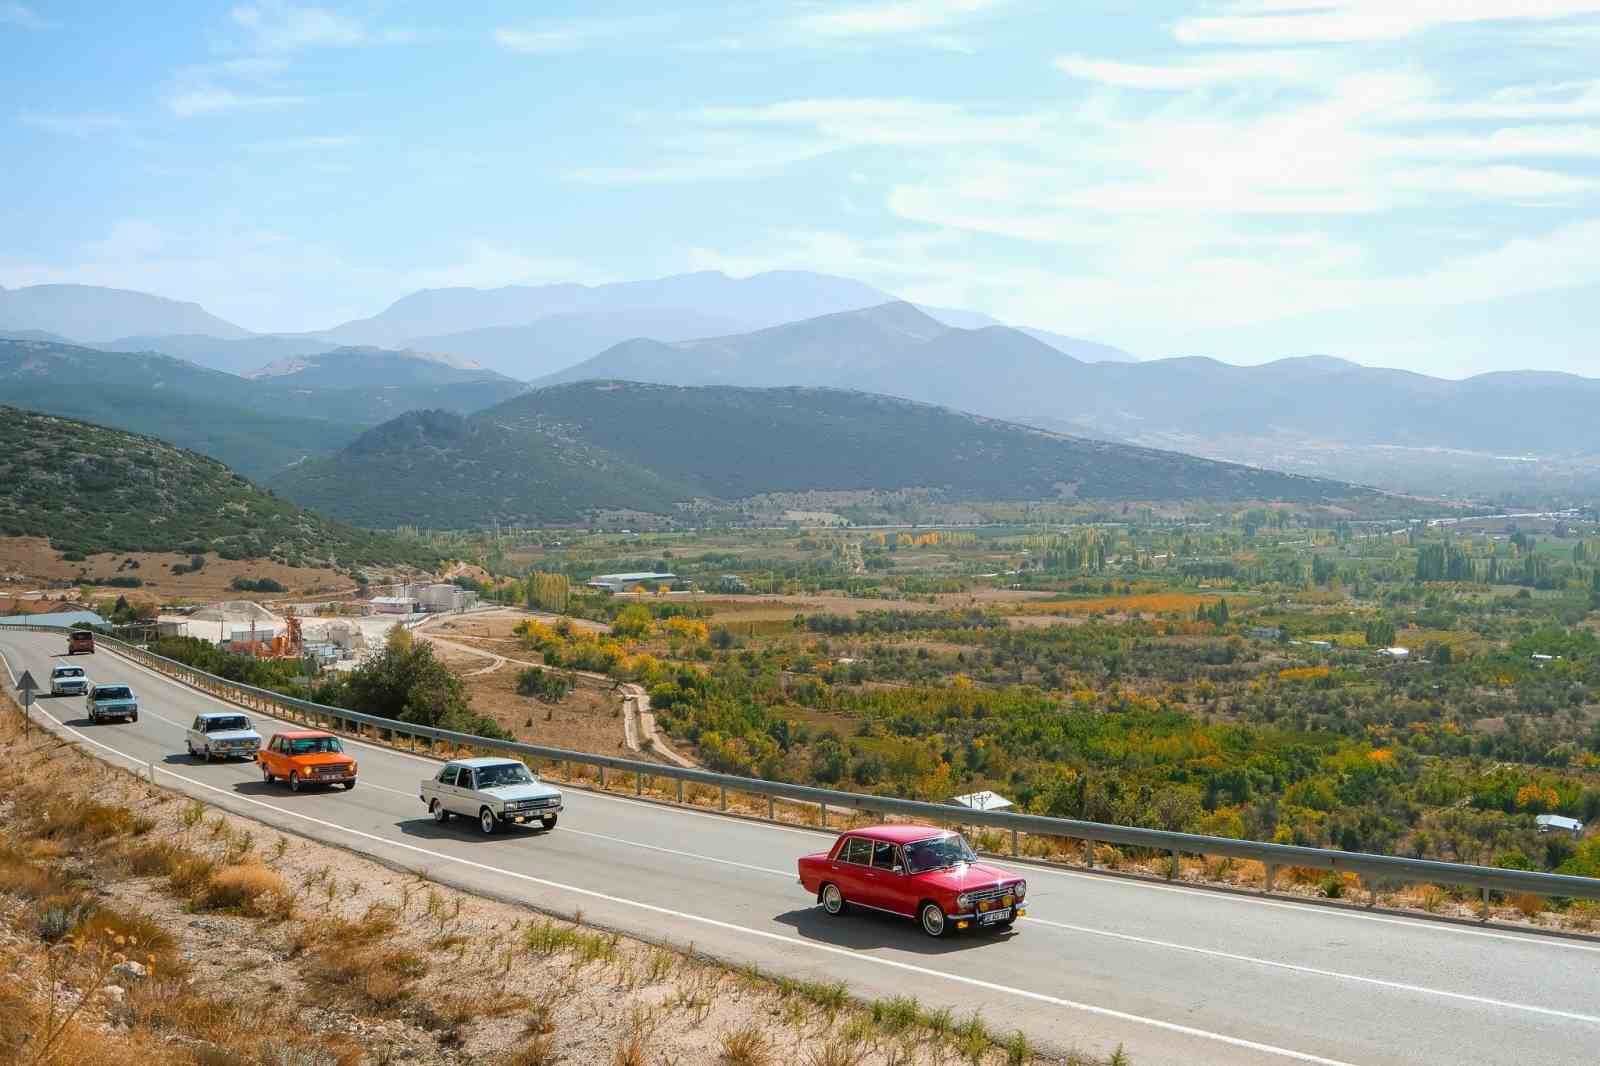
(750, 303)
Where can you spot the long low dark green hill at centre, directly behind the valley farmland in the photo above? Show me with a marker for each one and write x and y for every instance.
(566, 452)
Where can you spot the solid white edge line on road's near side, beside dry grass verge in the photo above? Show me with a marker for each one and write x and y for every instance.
(780, 939)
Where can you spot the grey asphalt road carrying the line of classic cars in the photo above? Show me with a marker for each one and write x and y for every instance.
(1177, 976)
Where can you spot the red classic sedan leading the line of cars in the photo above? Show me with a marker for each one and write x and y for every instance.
(914, 872)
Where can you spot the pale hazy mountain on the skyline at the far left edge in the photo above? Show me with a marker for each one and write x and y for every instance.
(89, 313)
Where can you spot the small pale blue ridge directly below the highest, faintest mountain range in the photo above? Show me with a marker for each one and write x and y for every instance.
(561, 340)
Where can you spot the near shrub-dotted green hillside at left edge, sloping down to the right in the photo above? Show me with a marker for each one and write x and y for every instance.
(90, 489)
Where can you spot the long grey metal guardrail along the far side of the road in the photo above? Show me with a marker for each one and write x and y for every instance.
(1374, 870)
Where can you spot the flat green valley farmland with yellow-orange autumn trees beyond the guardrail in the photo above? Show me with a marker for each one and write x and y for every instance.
(1233, 676)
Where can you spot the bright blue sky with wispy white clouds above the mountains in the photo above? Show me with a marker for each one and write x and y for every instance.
(1244, 177)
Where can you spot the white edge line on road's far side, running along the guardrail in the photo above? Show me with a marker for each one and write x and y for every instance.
(1022, 870)
